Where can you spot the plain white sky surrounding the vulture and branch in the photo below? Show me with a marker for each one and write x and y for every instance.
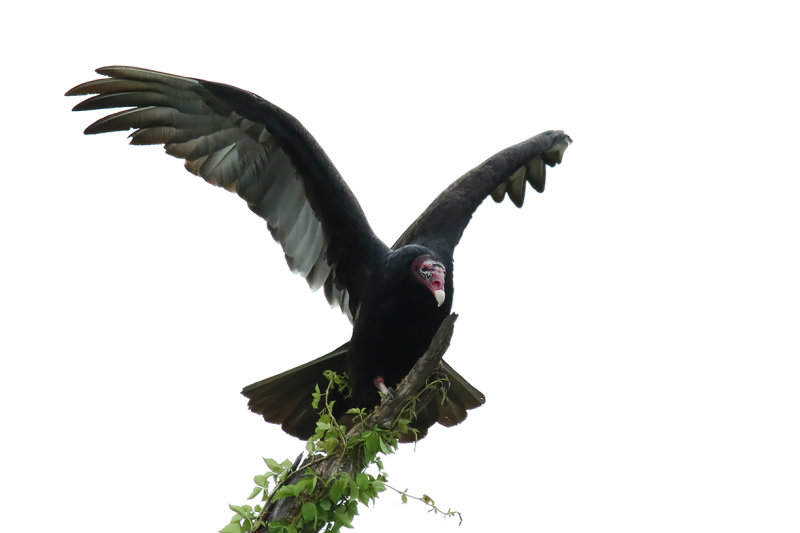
(634, 329)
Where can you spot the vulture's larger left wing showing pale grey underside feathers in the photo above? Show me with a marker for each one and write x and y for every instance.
(239, 141)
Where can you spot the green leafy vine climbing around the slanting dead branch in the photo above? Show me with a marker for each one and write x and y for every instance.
(328, 504)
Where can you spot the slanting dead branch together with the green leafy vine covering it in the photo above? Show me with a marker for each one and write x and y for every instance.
(323, 489)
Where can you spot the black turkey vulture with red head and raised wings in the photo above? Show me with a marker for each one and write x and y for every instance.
(396, 297)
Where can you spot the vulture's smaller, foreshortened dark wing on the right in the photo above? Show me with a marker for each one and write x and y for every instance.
(505, 173)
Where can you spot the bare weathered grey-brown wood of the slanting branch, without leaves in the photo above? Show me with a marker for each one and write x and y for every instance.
(351, 462)
